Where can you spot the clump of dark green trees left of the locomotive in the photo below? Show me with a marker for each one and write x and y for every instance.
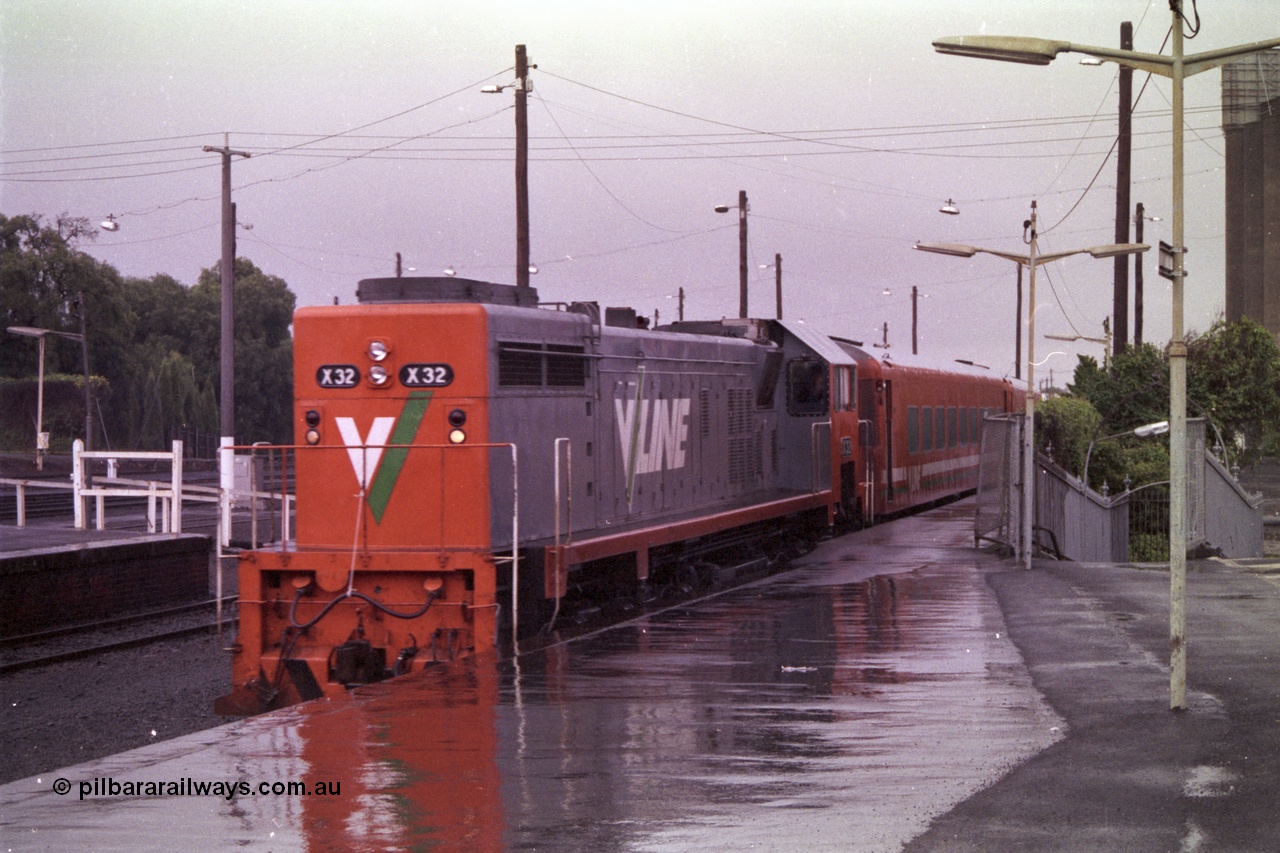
(154, 345)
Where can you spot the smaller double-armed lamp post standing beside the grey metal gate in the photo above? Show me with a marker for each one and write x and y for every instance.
(1031, 262)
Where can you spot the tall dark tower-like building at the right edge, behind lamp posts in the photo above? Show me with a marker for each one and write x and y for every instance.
(1251, 124)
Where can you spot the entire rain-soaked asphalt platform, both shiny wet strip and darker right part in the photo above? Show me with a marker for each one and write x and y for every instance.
(897, 691)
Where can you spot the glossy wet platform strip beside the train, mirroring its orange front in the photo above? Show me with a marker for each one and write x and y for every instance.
(845, 704)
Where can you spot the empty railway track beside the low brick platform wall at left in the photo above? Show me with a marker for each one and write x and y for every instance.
(76, 642)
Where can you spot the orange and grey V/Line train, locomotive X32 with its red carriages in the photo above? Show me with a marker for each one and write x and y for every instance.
(469, 462)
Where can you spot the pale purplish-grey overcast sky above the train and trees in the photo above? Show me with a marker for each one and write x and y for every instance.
(371, 136)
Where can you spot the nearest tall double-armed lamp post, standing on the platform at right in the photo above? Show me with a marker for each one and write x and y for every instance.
(1177, 67)
